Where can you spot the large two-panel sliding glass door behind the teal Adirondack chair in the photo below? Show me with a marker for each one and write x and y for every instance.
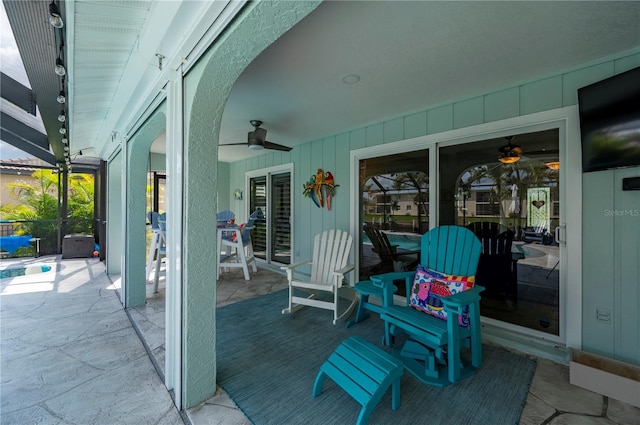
(402, 193)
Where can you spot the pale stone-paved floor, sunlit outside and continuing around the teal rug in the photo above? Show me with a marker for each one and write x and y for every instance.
(73, 314)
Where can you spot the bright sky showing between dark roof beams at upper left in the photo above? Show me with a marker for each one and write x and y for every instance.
(11, 65)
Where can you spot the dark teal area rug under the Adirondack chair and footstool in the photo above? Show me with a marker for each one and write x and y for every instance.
(267, 363)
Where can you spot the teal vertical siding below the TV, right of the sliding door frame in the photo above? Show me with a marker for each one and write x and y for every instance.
(611, 265)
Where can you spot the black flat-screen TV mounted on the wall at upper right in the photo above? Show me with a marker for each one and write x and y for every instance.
(610, 122)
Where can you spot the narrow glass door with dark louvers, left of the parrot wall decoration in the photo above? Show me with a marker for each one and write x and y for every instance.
(270, 191)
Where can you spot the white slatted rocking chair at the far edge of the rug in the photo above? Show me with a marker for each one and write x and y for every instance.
(329, 266)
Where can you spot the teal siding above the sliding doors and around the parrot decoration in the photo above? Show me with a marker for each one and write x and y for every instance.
(332, 153)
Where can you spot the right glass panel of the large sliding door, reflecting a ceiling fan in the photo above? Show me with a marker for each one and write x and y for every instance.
(519, 201)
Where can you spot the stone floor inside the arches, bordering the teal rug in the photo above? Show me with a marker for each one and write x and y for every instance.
(550, 393)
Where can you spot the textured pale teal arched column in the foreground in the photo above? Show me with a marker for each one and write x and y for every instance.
(257, 26)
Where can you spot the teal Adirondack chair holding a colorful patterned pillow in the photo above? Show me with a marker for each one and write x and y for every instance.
(433, 351)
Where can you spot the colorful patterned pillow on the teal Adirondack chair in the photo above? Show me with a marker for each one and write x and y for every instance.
(429, 286)
